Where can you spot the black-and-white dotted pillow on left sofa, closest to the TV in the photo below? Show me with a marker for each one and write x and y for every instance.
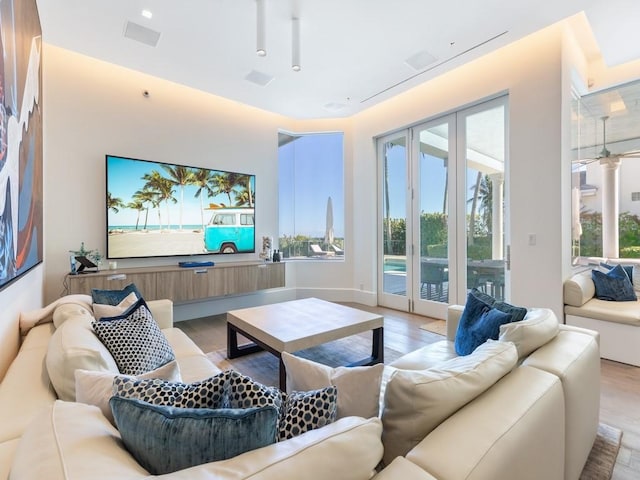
(134, 340)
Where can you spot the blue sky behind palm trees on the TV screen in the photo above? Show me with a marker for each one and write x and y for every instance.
(124, 178)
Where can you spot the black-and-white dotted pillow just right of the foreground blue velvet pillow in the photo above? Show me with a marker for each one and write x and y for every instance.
(304, 411)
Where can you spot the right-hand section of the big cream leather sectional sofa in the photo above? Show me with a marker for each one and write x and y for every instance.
(538, 421)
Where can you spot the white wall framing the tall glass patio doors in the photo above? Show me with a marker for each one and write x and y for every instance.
(530, 71)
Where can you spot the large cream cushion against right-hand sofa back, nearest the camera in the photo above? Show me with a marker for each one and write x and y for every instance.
(417, 401)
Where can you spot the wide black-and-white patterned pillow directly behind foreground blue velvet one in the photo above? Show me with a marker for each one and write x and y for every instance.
(209, 393)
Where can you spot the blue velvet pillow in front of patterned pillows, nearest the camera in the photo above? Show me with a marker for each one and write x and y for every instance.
(165, 439)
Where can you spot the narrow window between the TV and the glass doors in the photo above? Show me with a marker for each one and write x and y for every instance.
(311, 196)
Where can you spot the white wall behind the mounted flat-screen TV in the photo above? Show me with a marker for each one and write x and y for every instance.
(93, 108)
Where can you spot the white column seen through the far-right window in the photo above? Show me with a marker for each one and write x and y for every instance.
(610, 206)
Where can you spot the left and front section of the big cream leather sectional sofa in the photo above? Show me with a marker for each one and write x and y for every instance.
(44, 437)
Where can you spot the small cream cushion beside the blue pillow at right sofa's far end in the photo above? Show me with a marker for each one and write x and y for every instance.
(539, 326)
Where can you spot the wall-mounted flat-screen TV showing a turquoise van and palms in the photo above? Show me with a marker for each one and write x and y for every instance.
(157, 209)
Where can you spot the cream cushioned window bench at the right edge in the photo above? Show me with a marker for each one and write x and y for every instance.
(618, 323)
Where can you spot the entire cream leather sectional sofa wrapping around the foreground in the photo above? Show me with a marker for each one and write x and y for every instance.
(530, 412)
